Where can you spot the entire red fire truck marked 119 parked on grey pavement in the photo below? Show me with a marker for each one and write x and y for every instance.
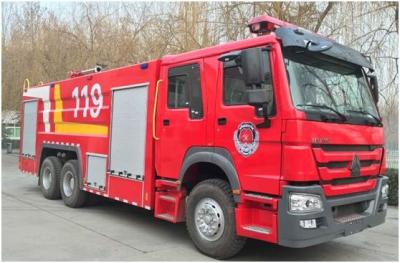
(276, 138)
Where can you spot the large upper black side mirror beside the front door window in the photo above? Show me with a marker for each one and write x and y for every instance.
(253, 66)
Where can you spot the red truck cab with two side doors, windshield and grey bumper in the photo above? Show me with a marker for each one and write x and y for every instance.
(290, 118)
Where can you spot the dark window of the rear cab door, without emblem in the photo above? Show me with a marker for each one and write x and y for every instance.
(184, 90)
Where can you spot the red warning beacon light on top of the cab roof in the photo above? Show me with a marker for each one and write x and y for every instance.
(263, 25)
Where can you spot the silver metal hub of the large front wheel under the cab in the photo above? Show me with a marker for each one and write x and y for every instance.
(209, 219)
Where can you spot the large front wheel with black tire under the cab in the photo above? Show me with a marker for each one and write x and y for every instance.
(216, 196)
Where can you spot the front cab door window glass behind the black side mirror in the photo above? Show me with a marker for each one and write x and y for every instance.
(234, 90)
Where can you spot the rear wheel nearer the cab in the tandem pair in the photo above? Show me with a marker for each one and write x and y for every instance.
(71, 193)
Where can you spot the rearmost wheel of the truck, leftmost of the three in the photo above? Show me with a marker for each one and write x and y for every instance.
(49, 178)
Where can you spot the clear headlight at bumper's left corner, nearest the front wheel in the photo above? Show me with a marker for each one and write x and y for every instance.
(305, 203)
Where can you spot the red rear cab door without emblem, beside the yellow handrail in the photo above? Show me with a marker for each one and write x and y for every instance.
(181, 118)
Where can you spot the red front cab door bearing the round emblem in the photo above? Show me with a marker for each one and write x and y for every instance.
(255, 150)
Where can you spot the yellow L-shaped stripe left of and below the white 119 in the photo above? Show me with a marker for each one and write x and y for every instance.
(73, 127)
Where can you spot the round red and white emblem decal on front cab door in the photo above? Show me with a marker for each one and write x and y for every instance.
(246, 139)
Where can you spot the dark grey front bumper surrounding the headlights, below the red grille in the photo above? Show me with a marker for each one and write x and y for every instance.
(329, 226)
